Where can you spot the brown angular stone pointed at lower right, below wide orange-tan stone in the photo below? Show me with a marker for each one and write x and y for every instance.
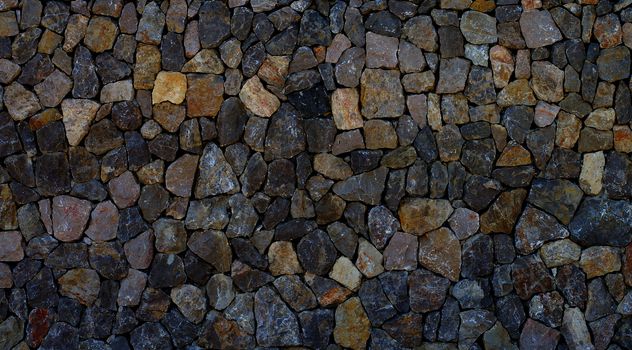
(440, 252)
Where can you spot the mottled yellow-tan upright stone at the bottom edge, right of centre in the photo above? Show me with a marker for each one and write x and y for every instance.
(352, 325)
